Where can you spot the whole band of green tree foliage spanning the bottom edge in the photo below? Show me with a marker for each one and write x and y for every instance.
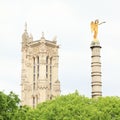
(66, 107)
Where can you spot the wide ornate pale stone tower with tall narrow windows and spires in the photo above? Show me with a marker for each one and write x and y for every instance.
(39, 75)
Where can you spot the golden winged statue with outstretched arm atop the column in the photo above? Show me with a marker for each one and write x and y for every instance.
(94, 28)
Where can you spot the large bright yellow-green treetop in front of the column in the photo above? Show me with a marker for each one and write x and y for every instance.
(77, 107)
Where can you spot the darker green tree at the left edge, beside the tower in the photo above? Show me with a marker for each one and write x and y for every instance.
(8, 105)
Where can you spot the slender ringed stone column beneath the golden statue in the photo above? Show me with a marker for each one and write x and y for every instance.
(96, 83)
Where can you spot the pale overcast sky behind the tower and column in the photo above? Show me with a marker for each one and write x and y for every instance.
(69, 20)
